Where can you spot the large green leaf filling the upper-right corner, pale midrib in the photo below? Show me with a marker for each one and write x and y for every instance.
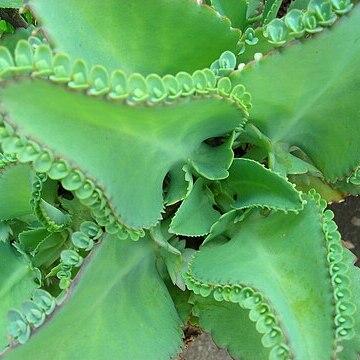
(307, 96)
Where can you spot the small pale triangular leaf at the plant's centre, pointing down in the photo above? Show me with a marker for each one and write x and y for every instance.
(196, 213)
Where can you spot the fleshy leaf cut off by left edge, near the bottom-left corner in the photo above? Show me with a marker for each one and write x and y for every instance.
(16, 284)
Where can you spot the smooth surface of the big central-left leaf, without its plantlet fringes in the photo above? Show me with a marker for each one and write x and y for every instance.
(141, 144)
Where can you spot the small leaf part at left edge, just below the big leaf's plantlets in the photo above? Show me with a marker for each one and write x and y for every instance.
(15, 191)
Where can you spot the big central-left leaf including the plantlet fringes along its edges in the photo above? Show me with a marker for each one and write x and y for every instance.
(144, 142)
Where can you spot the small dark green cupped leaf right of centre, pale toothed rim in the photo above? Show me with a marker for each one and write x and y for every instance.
(250, 184)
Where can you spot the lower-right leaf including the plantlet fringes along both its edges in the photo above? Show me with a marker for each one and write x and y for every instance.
(305, 314)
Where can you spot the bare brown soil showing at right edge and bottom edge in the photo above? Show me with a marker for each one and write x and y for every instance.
(347, 216)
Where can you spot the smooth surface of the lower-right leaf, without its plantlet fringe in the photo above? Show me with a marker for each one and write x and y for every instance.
(264, 254)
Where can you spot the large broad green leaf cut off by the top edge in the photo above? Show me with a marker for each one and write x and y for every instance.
(161, 36)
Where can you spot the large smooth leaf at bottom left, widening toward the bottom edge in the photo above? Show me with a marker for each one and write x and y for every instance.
(117, 308)
